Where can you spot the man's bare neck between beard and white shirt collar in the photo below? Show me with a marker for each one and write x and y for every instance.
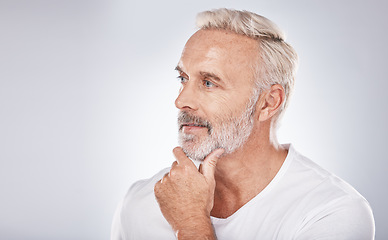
(243, 174)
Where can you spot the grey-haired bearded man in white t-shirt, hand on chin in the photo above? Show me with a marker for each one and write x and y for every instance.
(237, 73)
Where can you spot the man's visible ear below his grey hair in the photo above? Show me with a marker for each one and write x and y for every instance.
(271, 102)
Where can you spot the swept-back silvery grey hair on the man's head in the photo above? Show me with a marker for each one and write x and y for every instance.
(278, 60)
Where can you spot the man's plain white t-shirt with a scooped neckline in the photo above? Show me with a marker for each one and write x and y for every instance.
(303, 201)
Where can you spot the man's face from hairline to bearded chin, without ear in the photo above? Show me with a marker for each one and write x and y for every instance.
(216, 101)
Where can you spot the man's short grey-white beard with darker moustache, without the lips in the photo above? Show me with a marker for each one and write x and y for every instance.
(229, 133)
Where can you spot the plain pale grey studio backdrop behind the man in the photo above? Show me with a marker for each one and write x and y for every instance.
(87, 91)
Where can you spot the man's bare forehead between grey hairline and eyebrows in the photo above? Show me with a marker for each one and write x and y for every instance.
(220, 51)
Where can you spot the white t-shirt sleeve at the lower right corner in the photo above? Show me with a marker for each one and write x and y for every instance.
(349, 218)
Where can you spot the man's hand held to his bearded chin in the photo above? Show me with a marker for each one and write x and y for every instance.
(186, 195)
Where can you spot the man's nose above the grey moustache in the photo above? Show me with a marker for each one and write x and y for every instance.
(187, 98)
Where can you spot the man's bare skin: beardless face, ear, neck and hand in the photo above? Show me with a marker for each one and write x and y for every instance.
(188, 197)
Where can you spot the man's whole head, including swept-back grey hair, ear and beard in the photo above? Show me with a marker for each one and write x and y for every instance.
(233, 60)
